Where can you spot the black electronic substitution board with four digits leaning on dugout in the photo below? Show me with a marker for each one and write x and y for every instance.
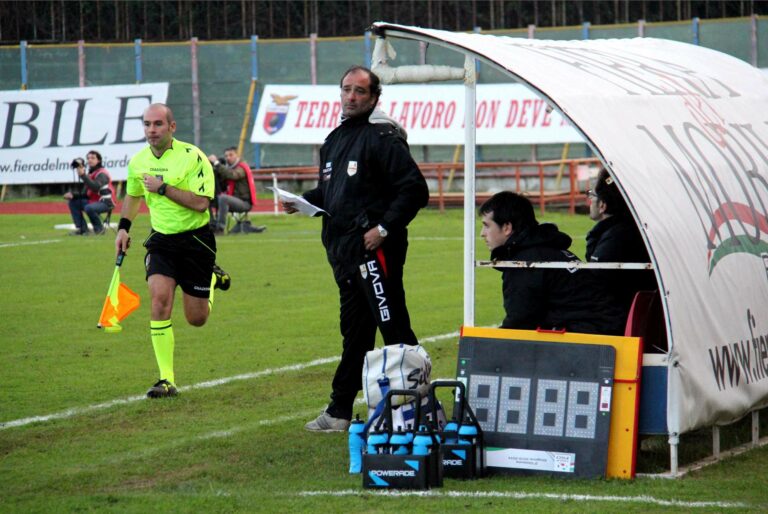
(544, 407)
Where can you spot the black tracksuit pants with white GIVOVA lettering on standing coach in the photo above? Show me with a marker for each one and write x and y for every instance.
(371, 298)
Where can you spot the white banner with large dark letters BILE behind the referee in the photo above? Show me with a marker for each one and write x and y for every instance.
(43, 130)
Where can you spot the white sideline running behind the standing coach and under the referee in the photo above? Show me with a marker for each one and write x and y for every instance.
(74, 411)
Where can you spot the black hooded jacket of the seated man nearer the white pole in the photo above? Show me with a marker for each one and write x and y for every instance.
(553, 298)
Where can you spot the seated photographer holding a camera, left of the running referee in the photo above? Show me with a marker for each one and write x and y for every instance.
(96, 197)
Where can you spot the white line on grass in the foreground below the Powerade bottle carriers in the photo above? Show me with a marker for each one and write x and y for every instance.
(528, 496)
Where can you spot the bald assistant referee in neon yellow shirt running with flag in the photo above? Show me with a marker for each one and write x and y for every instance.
(177, 183)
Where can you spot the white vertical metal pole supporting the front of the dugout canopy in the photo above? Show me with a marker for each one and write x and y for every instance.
(470, 101)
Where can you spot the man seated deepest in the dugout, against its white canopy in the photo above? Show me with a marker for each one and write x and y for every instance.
(616, 238)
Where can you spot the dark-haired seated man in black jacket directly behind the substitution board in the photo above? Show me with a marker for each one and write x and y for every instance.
(545, 298)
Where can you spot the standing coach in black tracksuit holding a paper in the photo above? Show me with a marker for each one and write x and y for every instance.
(371, 188)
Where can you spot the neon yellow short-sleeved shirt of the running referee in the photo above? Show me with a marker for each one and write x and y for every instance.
(182, 166)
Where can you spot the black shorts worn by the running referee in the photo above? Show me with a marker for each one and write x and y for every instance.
(187, 257)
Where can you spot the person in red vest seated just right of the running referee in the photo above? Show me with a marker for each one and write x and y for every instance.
(239, 190)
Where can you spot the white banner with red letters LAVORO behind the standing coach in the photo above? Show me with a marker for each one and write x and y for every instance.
(506, 114)
